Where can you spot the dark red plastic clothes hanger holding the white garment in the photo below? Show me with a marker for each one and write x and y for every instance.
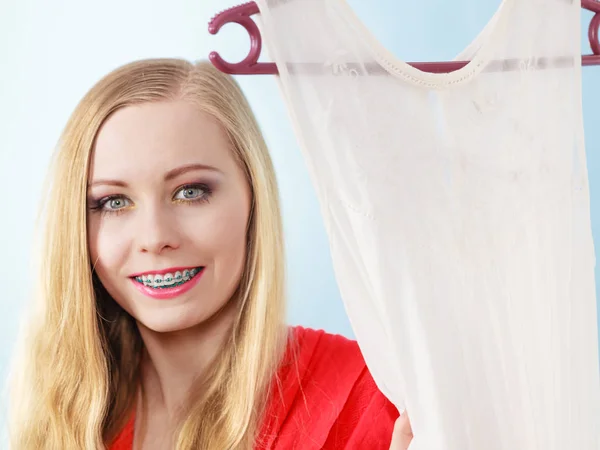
(250, 66)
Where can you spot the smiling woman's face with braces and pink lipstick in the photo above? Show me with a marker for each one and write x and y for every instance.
(168, 208)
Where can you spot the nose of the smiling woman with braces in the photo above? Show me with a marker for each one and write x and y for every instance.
(157, 231)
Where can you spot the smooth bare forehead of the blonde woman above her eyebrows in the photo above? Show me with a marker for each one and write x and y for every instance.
(152, 138)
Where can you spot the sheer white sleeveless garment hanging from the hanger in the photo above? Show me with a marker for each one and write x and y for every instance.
(457, 209)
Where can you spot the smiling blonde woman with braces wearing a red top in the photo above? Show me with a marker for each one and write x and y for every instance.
(161, 316)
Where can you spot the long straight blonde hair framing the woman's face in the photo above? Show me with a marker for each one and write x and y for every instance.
(78, 374)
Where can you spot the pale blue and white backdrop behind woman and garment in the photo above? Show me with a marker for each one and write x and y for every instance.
(52, 52)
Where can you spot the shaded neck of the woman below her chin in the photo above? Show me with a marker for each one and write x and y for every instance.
(172, 363)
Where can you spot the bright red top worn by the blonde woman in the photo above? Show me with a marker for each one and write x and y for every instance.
(327, 400)
